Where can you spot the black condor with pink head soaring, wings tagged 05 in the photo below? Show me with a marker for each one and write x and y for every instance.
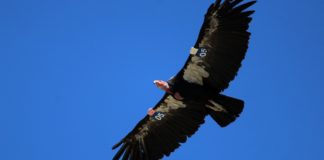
(194, 92)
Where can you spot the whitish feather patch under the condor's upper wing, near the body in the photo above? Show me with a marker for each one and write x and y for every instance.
(195, 72)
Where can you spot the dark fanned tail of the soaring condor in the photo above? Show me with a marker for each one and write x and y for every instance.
(224, 109)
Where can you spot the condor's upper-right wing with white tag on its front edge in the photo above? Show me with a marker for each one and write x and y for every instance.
(221, 45)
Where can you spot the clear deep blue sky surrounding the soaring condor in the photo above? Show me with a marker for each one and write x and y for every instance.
(76, 76)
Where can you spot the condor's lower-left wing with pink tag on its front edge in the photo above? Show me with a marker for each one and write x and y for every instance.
(161, 133)
